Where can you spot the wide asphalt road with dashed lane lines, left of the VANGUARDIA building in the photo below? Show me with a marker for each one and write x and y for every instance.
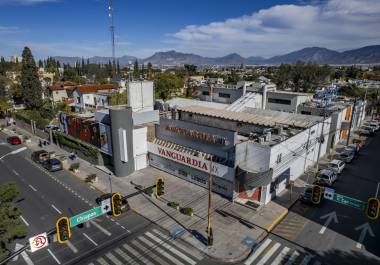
(44, 197)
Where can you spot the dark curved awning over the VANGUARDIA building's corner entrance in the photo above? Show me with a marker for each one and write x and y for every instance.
(254, 179)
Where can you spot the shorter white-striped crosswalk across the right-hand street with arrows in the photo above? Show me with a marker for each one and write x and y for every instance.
(274, 253)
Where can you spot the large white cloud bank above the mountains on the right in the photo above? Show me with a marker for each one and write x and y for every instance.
(334, 24)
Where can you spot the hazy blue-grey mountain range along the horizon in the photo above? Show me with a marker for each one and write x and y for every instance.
(364, 55)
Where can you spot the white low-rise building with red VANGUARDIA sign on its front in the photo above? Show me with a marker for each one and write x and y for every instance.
(252, 155)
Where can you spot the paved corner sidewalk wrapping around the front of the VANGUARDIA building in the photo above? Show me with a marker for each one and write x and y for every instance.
(236, 228)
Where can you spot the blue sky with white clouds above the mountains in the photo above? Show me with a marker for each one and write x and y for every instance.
(209, 28)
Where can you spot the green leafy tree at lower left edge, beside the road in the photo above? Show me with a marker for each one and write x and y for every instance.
(11, 227)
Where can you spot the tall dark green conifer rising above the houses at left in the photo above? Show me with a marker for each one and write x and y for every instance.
(30, 84)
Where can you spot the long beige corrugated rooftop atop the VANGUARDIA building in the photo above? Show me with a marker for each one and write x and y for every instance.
(257, 116)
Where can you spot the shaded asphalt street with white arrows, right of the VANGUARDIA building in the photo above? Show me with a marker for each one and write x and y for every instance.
(306, 237)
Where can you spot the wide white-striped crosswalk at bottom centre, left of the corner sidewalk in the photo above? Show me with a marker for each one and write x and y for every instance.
(152, 248)
